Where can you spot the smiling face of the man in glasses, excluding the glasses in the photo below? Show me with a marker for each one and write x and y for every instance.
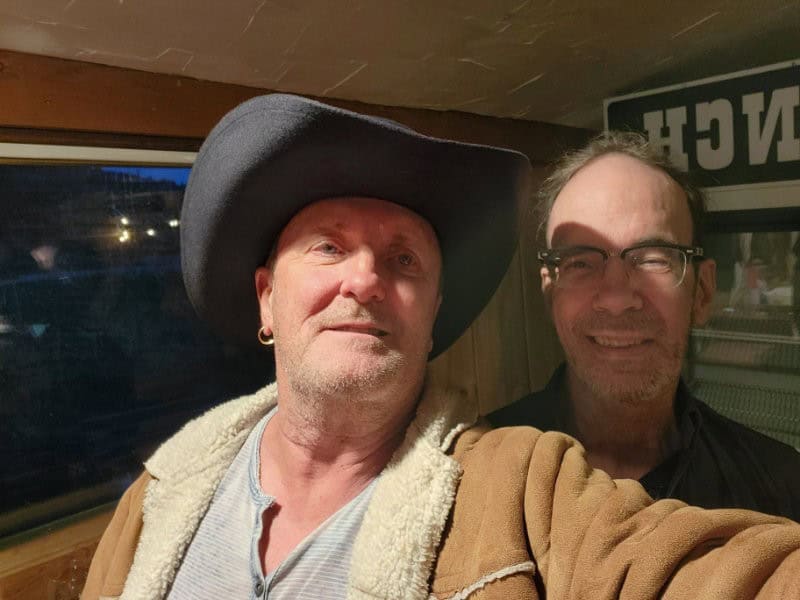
(622, 341)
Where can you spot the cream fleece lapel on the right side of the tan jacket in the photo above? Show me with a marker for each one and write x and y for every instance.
(396, 547)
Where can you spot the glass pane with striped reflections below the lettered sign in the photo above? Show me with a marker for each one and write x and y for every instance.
(746, 362)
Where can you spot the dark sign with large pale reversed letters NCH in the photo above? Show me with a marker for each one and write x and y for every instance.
(733, 129)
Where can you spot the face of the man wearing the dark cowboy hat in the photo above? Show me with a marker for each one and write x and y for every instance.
(351, 298)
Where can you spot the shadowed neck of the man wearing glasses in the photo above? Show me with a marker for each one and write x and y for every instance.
(626, 439)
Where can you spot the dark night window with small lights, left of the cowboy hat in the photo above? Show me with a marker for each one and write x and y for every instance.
(101, 355)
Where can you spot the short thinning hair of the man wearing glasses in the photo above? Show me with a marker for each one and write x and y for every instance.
(629, 143)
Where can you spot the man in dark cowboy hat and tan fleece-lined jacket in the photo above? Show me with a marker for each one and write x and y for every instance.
(361, 249)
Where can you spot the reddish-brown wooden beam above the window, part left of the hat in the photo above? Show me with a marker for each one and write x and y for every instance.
(48, 93)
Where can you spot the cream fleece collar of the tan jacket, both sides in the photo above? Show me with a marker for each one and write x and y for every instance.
(396, 547)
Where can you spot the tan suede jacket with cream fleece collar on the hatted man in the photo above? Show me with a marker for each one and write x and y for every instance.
(465, 512)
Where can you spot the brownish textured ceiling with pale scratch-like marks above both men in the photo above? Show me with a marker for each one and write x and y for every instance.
(527, 59)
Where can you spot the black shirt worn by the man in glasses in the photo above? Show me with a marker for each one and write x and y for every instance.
(720, 463)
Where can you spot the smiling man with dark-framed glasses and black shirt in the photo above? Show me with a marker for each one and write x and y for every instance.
(625, 277)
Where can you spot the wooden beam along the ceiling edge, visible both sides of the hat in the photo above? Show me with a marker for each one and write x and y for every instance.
(53, 94)
